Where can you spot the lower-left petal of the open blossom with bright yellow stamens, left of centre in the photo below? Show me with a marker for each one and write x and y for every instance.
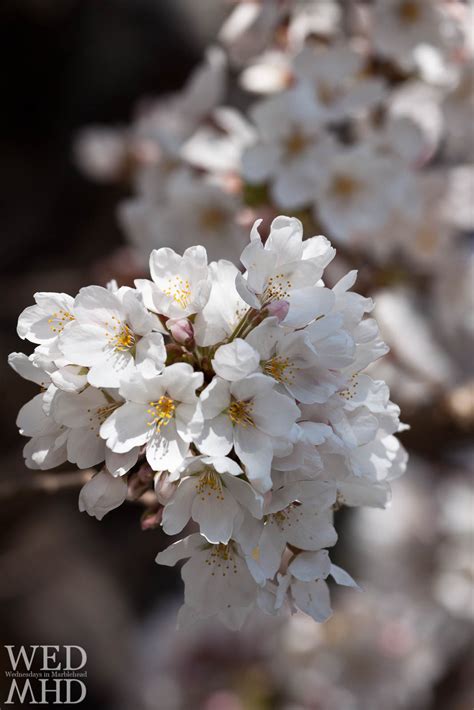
(127, 427)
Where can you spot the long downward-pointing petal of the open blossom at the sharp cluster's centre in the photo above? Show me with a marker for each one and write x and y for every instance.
(255, 450)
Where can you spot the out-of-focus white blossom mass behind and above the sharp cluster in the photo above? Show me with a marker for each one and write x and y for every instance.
(357, 118)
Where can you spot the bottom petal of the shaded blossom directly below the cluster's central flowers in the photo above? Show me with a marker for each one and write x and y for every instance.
(215, 515)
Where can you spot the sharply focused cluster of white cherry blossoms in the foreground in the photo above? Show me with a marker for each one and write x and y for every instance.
(241, 396)
